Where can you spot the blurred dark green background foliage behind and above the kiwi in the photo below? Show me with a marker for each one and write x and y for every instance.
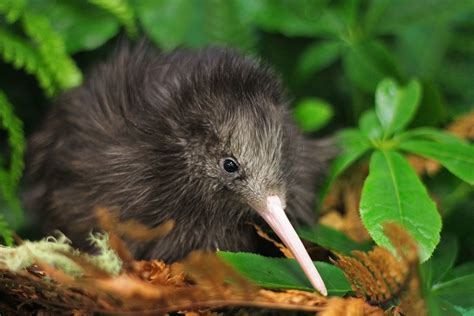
(331, 55)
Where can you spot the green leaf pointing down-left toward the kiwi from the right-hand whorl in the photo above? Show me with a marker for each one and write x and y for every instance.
(354, 144)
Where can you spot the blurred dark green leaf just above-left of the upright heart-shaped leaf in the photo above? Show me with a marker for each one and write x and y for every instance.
(366, 64)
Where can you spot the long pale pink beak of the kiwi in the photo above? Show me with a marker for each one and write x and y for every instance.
(275, 216)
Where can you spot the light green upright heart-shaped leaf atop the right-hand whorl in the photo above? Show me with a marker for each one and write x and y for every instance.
(395, 106)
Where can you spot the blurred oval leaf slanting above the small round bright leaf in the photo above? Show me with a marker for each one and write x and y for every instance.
(318, 56)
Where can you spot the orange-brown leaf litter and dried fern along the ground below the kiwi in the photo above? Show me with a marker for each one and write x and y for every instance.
(203, 283)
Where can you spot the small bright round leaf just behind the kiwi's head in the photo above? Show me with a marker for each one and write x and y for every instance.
(312, 114)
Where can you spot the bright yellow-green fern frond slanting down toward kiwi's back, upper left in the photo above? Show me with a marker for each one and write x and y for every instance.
(52, 50)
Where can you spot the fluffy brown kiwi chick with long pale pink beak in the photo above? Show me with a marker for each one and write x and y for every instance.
(201, 137)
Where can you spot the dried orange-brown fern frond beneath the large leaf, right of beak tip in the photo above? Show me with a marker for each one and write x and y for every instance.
(380, 277)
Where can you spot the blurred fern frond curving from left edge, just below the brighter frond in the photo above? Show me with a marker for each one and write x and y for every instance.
(18, 52)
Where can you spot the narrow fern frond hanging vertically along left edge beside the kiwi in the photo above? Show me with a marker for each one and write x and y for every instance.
(10, 178)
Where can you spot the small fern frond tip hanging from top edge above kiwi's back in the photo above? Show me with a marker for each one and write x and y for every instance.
(122, 10)
